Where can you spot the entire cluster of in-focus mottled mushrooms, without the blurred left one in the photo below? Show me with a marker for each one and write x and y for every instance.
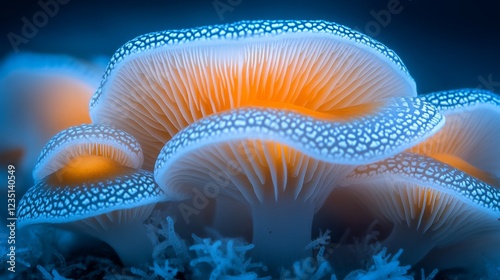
(275, 120)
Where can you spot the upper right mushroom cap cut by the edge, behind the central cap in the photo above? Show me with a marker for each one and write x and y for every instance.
(471, 131)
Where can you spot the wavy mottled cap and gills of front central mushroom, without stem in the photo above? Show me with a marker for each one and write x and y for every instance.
(281, 138)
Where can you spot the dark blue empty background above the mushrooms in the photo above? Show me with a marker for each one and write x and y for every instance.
(445, 45)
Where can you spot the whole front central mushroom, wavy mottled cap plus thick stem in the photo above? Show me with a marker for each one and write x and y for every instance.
(283, 163)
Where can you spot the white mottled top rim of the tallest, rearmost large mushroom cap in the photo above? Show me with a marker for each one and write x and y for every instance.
(238, 31)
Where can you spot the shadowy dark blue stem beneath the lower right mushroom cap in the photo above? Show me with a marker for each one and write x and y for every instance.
(415, 243)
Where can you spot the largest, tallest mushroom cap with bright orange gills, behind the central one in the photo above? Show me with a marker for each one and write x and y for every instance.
(160, 82)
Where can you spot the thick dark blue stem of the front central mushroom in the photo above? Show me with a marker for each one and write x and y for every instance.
(281, 233)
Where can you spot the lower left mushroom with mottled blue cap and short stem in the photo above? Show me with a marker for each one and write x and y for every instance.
(111, 209)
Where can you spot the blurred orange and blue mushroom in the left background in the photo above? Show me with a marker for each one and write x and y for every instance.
(41, 95)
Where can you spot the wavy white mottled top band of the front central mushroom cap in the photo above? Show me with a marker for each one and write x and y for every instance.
(397, 125)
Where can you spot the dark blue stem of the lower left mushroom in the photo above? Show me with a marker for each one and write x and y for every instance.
(131, 243)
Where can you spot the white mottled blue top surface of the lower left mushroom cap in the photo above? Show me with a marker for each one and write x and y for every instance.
(62, 204)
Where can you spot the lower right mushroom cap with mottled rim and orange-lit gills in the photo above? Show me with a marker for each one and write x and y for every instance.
(429, 196)
